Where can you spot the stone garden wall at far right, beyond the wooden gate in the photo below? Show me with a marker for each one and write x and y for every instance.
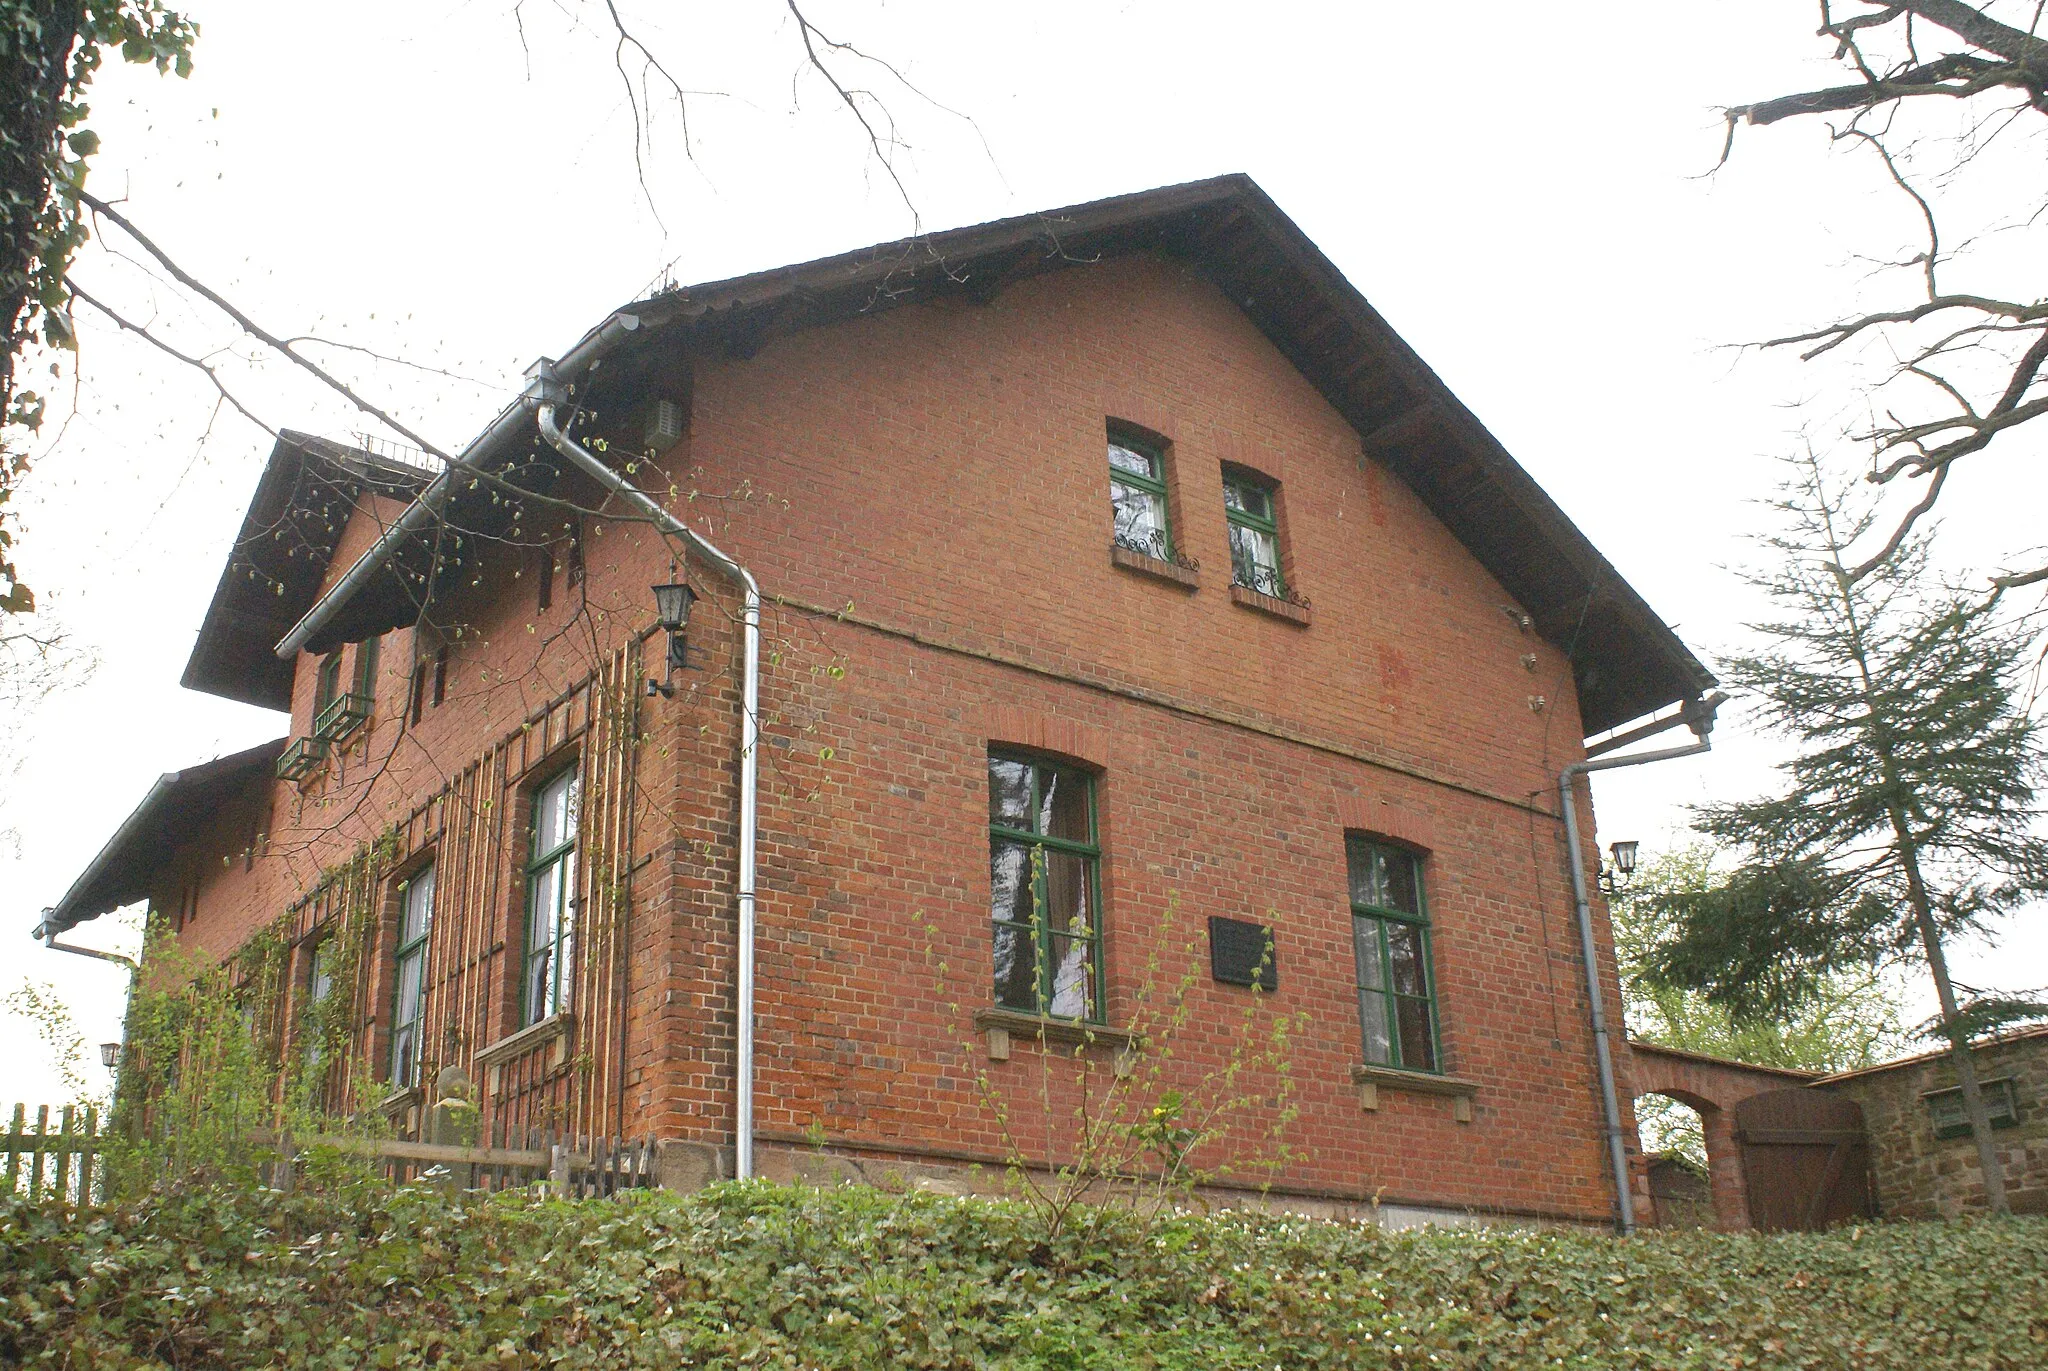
(1920, 1175)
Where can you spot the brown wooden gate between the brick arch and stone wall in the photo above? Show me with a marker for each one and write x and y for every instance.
(1805, 1159)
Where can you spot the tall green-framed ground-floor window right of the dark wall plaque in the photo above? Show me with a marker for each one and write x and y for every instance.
(1392, 942)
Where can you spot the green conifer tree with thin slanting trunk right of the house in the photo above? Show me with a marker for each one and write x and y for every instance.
(1910, 806)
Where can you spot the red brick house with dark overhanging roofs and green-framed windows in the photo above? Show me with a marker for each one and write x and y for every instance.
(1117, 567)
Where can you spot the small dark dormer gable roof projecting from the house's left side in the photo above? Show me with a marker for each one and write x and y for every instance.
(280, 563)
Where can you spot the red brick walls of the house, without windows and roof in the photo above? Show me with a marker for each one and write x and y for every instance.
(925, 501)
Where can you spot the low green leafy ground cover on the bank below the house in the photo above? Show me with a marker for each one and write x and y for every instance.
(757, 1276)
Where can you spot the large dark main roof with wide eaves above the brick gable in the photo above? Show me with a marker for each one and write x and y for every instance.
(1627, 661)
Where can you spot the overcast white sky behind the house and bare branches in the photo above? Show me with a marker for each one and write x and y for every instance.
(1521, 190)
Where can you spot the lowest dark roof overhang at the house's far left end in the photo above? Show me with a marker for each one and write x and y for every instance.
(175, 811)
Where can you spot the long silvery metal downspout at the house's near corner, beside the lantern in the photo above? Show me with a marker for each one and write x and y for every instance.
(749, 735)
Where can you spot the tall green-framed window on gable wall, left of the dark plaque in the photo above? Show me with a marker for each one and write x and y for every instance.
(1046, 890)
